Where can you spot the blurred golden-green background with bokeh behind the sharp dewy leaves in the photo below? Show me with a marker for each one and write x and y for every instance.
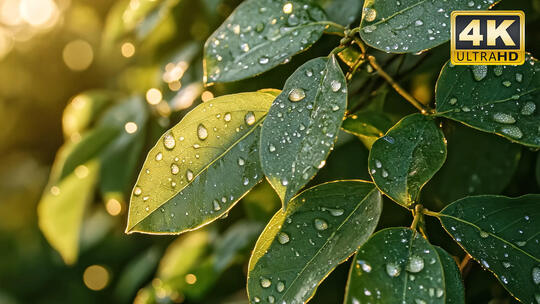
(96, 56)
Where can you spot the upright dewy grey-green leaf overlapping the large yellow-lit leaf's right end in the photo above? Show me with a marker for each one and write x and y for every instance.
(302, 125)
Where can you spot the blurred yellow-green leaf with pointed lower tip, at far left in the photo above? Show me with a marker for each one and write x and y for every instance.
(61, 210)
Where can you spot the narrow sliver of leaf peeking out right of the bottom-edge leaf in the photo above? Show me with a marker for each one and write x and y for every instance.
(455, 291)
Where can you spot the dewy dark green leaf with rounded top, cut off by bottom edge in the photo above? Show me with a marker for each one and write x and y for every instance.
(396, 265)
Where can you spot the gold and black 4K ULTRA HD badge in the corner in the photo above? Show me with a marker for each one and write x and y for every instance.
(487, 37)
